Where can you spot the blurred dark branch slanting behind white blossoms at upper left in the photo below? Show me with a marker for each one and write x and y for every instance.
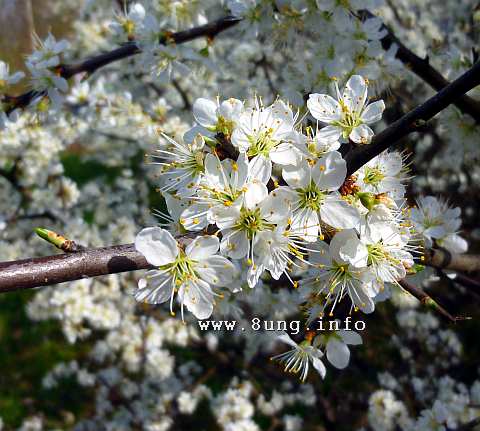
(129, 49)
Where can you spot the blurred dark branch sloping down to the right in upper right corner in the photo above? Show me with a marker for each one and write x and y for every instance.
(423, 69)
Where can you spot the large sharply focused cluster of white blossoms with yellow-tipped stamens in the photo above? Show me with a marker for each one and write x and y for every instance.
(267, 196)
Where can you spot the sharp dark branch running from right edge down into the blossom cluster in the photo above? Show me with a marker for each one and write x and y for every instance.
(414, 119)
